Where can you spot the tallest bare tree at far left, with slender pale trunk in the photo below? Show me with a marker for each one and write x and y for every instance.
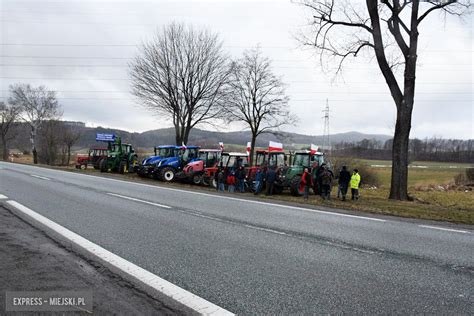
(38, 105)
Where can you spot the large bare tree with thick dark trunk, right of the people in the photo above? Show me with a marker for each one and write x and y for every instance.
(376, 27)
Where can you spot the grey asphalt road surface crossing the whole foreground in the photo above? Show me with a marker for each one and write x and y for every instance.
(253, 257)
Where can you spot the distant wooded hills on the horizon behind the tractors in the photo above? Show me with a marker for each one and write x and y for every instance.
(204, 138)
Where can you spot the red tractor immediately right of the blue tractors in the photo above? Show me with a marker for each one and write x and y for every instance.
(196, 170)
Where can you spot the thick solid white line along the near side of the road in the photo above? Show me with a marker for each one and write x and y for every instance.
(134, 272)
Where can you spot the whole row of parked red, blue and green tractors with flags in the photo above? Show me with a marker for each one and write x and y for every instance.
(200, 166)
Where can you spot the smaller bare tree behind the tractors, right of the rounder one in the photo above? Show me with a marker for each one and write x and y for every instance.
(257, 96)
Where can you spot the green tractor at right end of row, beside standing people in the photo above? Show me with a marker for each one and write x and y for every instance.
(290, 177)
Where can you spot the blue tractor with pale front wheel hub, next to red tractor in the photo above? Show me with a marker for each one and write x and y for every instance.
(167, 168)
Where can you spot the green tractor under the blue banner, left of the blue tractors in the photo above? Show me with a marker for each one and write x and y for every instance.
(120, 158)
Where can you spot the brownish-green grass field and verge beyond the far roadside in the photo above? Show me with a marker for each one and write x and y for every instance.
(432, 201)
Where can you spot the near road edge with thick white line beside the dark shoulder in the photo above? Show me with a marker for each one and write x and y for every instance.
(171, 295)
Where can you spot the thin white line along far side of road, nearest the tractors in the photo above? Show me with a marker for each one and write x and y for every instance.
(226, 197)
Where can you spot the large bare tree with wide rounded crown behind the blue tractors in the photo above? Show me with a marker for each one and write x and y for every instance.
(181, 74)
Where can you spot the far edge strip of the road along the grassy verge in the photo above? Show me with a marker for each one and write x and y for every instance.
(295, 205)
